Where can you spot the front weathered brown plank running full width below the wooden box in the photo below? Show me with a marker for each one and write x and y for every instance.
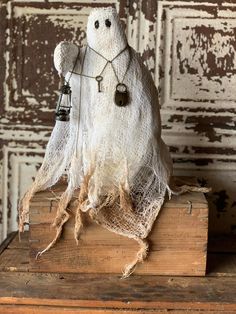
(137, 292)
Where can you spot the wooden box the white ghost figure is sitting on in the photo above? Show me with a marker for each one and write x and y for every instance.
(178, 240)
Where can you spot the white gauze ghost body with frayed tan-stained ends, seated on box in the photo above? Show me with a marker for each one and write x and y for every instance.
(115, 155)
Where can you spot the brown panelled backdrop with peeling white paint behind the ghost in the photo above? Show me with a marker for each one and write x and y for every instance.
(190, 49)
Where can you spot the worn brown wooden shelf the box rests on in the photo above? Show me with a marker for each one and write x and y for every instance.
(22, 291)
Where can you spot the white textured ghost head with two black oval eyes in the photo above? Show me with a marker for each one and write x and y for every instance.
(105, 33)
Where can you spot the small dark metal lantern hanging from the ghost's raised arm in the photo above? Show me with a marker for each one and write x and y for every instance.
(64, 103)
